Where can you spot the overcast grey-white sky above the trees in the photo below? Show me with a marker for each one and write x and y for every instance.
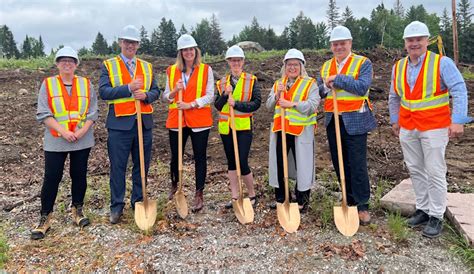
(76, 22)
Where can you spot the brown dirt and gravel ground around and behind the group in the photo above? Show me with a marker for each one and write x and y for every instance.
(21, 171)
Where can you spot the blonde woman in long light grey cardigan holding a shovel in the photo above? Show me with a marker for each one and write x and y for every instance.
(298, 95)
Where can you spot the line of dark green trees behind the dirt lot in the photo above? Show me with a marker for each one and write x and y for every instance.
(384, 28)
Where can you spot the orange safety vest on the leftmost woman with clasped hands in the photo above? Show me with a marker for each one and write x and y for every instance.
(70, 111)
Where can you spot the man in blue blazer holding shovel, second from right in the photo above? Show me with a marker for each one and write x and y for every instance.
(350, 75)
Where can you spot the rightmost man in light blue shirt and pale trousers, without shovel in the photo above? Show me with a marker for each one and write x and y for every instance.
(421, 86)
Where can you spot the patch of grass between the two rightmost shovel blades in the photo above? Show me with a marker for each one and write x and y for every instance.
(321, 205)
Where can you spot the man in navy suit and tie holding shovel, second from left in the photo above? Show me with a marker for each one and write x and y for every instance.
(123, 80)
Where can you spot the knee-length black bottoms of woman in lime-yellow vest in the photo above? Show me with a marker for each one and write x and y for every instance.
(244, 140)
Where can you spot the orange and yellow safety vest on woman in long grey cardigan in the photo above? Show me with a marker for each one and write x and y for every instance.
(294, 120)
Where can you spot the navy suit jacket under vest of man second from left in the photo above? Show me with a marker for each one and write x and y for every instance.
(107, 92)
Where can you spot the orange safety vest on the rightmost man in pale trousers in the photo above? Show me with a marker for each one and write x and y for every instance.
(425, 106)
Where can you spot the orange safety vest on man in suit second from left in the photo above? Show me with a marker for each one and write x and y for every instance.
(119, 75)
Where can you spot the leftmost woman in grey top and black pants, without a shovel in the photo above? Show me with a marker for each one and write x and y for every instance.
(67, 106)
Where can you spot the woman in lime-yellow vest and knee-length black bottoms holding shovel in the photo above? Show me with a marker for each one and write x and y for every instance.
(241, 91)
